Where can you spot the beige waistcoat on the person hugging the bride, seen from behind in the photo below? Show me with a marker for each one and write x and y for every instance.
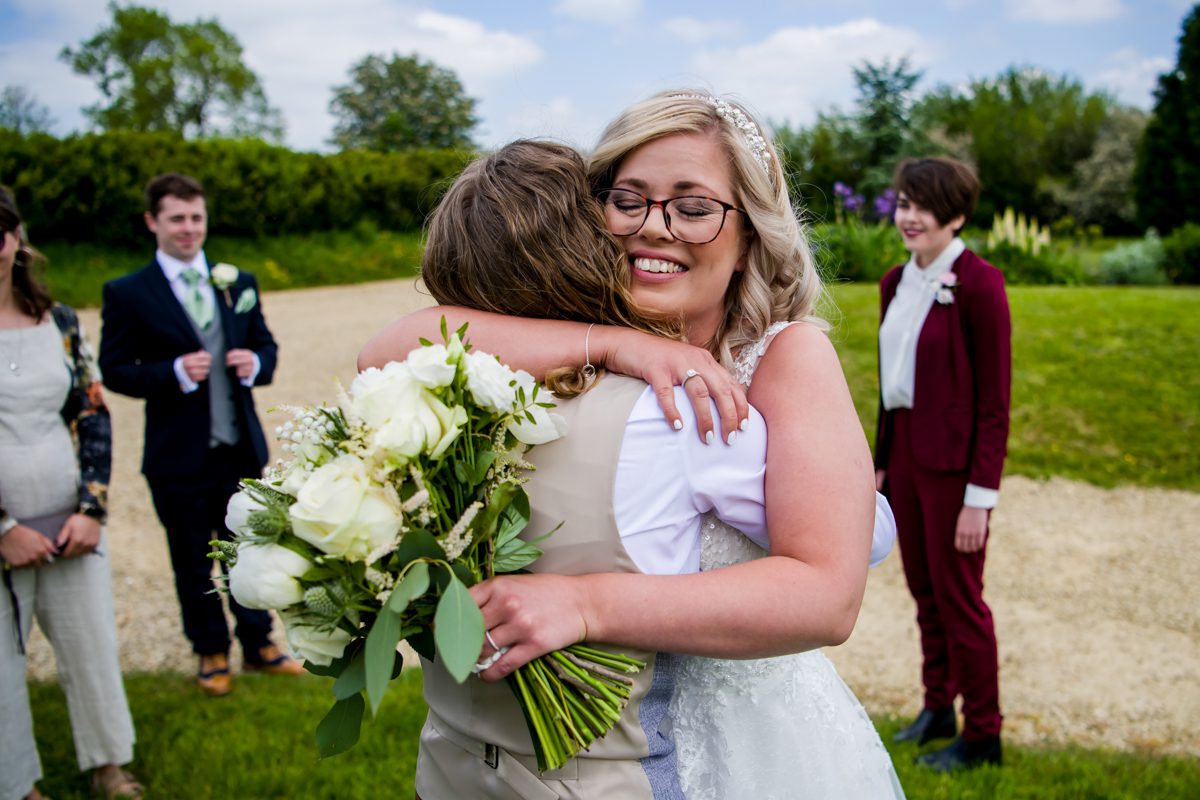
(476, 743)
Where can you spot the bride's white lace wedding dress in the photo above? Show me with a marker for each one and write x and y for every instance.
(771, 729)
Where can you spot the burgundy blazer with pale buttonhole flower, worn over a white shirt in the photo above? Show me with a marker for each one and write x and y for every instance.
(963, 377)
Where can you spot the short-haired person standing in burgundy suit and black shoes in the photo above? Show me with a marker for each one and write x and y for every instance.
(945, 374)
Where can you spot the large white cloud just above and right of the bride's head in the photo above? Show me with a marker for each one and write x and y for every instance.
(800, 71)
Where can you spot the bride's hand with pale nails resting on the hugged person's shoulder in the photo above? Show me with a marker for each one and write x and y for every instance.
(665, 364)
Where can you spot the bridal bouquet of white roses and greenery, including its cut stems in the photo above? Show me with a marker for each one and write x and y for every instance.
(393, 503)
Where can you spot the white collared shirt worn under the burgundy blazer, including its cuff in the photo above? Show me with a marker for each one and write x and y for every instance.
(898, 342)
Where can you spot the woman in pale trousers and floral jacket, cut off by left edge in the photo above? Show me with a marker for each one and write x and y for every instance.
(56, 455)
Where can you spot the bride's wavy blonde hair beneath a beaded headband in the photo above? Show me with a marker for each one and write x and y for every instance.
(781, 281)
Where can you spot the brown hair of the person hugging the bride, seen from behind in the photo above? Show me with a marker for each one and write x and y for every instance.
(519, 233)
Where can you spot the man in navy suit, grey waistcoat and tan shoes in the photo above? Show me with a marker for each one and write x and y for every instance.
(191, 341)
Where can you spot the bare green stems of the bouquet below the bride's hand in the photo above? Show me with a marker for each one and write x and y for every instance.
(571, 699)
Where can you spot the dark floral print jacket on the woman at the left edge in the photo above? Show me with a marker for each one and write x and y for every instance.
(86, 417)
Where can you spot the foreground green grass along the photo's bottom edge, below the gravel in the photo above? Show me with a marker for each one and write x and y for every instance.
(257, 744)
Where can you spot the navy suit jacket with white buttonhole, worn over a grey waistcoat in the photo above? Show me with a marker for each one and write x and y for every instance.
(145, 329)
